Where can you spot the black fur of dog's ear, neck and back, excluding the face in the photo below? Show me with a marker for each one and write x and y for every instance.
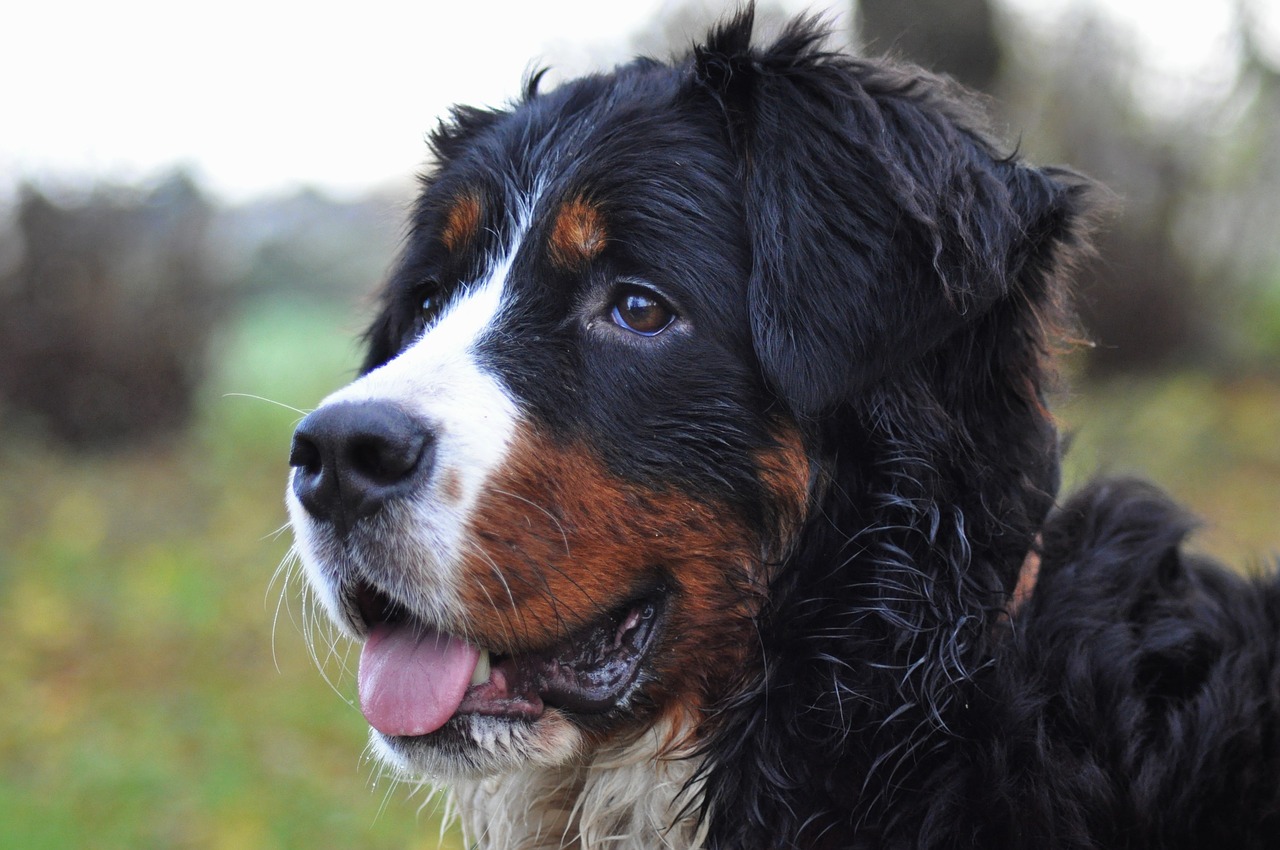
(1136, 703)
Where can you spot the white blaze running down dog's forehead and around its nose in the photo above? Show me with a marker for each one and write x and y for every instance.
(473, 417)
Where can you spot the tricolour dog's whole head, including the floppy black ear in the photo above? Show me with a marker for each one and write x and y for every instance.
(655, 335)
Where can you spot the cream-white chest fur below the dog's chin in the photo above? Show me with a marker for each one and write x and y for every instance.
(633, 798)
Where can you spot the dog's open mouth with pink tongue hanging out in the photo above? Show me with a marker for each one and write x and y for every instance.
(414, 679)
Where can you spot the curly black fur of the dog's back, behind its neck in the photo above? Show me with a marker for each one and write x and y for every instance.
(1139, 691)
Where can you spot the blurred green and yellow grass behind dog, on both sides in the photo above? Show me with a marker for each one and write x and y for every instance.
(149, 698)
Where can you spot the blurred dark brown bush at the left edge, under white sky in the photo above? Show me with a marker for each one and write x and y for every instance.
(107, 316)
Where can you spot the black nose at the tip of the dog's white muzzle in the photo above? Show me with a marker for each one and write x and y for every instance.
(350, 459)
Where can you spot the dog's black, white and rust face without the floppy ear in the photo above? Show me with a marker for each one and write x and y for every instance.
(559, 481)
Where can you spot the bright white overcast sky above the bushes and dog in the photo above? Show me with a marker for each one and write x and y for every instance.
(264, 95)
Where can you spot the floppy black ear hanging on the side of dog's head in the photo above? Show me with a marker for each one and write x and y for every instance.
(880, 221)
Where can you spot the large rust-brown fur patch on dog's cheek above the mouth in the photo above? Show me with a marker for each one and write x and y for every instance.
(559, 542)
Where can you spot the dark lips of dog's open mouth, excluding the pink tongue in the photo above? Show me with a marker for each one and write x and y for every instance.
(589, 671)
